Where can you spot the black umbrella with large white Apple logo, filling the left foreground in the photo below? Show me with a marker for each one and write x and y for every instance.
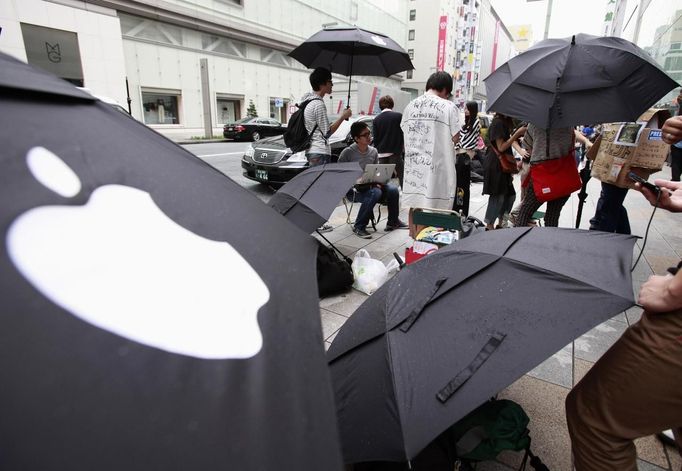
(150, 317)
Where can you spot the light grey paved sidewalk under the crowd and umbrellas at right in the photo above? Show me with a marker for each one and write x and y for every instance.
(543, 390)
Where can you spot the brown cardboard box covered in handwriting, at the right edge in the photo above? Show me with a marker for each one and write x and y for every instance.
(625, 147)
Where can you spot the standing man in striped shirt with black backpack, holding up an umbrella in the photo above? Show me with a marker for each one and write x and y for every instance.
(317, 123)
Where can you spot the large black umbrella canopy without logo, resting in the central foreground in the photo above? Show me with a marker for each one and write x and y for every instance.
(450, 331)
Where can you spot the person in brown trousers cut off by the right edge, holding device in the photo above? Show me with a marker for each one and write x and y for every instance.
(635, 389)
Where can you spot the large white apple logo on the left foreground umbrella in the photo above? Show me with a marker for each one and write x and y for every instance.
(121, 264)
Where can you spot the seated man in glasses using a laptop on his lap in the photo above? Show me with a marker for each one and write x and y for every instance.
(369, 194)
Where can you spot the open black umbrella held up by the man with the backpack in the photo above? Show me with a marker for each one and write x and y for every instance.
(349, 51)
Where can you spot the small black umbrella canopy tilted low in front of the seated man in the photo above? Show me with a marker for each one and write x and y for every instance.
(309, 198)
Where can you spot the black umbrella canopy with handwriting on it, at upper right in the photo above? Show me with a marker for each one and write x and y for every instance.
(578, 80)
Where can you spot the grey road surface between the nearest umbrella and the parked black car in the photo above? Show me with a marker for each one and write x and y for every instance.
(226, 157)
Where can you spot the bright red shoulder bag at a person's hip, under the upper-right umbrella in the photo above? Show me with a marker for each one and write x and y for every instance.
(555, 178)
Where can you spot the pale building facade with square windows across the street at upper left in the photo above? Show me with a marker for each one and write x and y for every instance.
(187, 67)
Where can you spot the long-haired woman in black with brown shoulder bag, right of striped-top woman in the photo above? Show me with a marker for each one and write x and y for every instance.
(496, 183)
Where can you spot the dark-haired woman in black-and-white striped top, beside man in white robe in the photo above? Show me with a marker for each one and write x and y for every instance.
(465, 150)
